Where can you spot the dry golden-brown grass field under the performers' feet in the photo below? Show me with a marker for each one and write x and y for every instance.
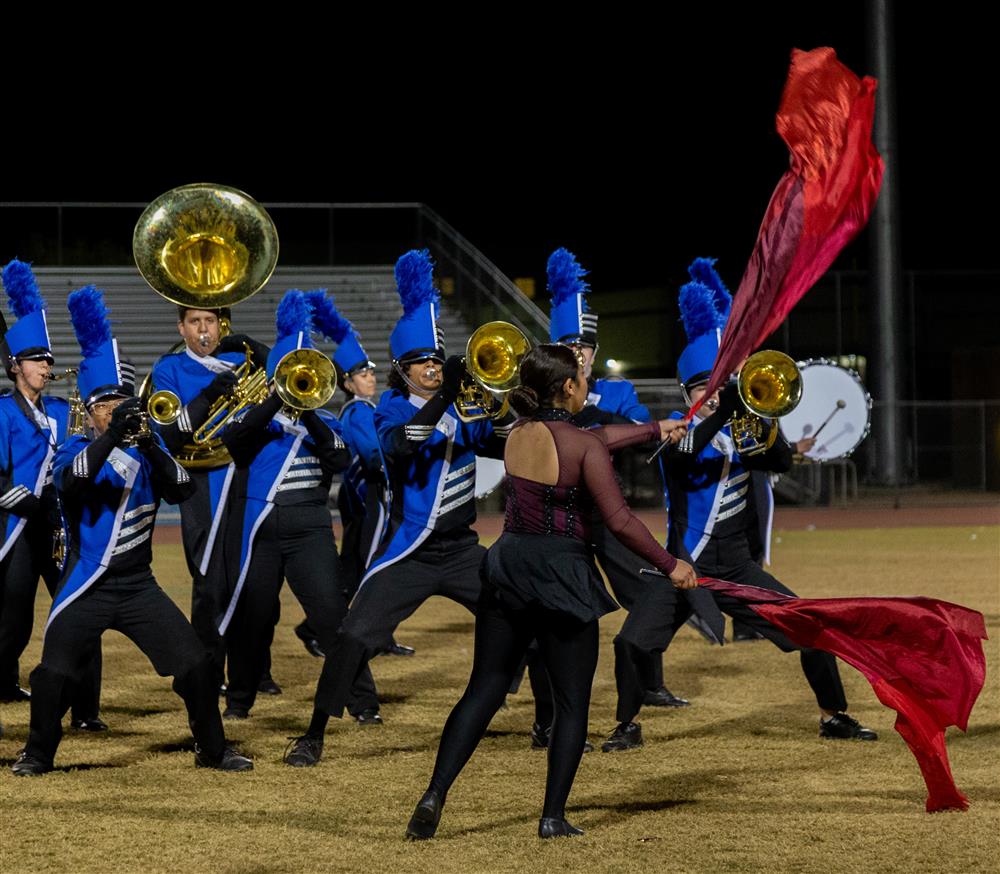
(739, 781)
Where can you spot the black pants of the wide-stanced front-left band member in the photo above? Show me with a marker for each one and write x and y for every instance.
(138, 608)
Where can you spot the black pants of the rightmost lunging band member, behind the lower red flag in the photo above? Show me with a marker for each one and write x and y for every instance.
(661, 613)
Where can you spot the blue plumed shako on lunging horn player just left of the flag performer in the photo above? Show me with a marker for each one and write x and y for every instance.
(417, 334)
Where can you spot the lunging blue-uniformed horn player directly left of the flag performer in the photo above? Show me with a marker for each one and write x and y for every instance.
(430, 548)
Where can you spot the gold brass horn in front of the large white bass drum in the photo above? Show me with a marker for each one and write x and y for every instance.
(770, 386)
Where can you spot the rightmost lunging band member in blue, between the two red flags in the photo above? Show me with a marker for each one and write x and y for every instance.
(720, 515)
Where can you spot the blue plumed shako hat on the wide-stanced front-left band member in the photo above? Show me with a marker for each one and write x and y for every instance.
(103, 372)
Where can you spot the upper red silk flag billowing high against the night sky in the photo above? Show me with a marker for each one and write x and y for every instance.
(818, 207)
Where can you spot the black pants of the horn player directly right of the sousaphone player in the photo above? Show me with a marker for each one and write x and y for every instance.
(296, 543)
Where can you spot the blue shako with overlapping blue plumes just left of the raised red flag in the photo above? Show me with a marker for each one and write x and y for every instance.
(705, 303)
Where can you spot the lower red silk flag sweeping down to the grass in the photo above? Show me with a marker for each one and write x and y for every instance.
(923, 657)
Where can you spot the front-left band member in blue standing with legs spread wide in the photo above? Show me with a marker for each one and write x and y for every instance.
(110, 485)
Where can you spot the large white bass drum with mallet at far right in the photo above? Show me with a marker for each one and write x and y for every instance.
(833, 395)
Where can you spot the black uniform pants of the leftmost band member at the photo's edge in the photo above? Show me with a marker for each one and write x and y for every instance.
(28, 559)
